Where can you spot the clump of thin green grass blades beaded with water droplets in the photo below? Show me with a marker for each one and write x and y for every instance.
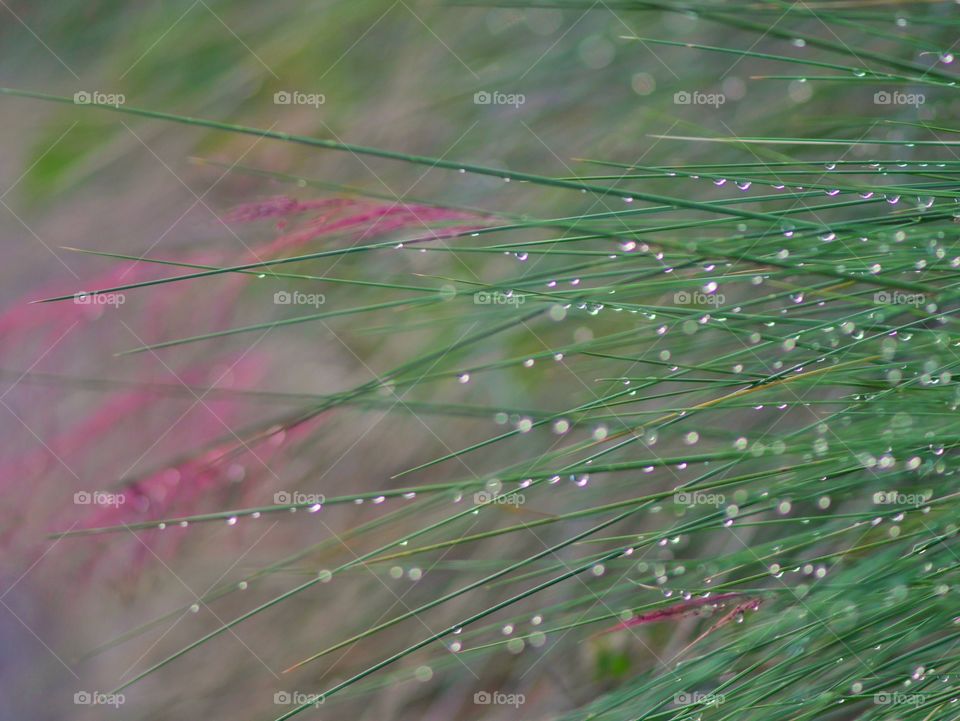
(746, 408)
